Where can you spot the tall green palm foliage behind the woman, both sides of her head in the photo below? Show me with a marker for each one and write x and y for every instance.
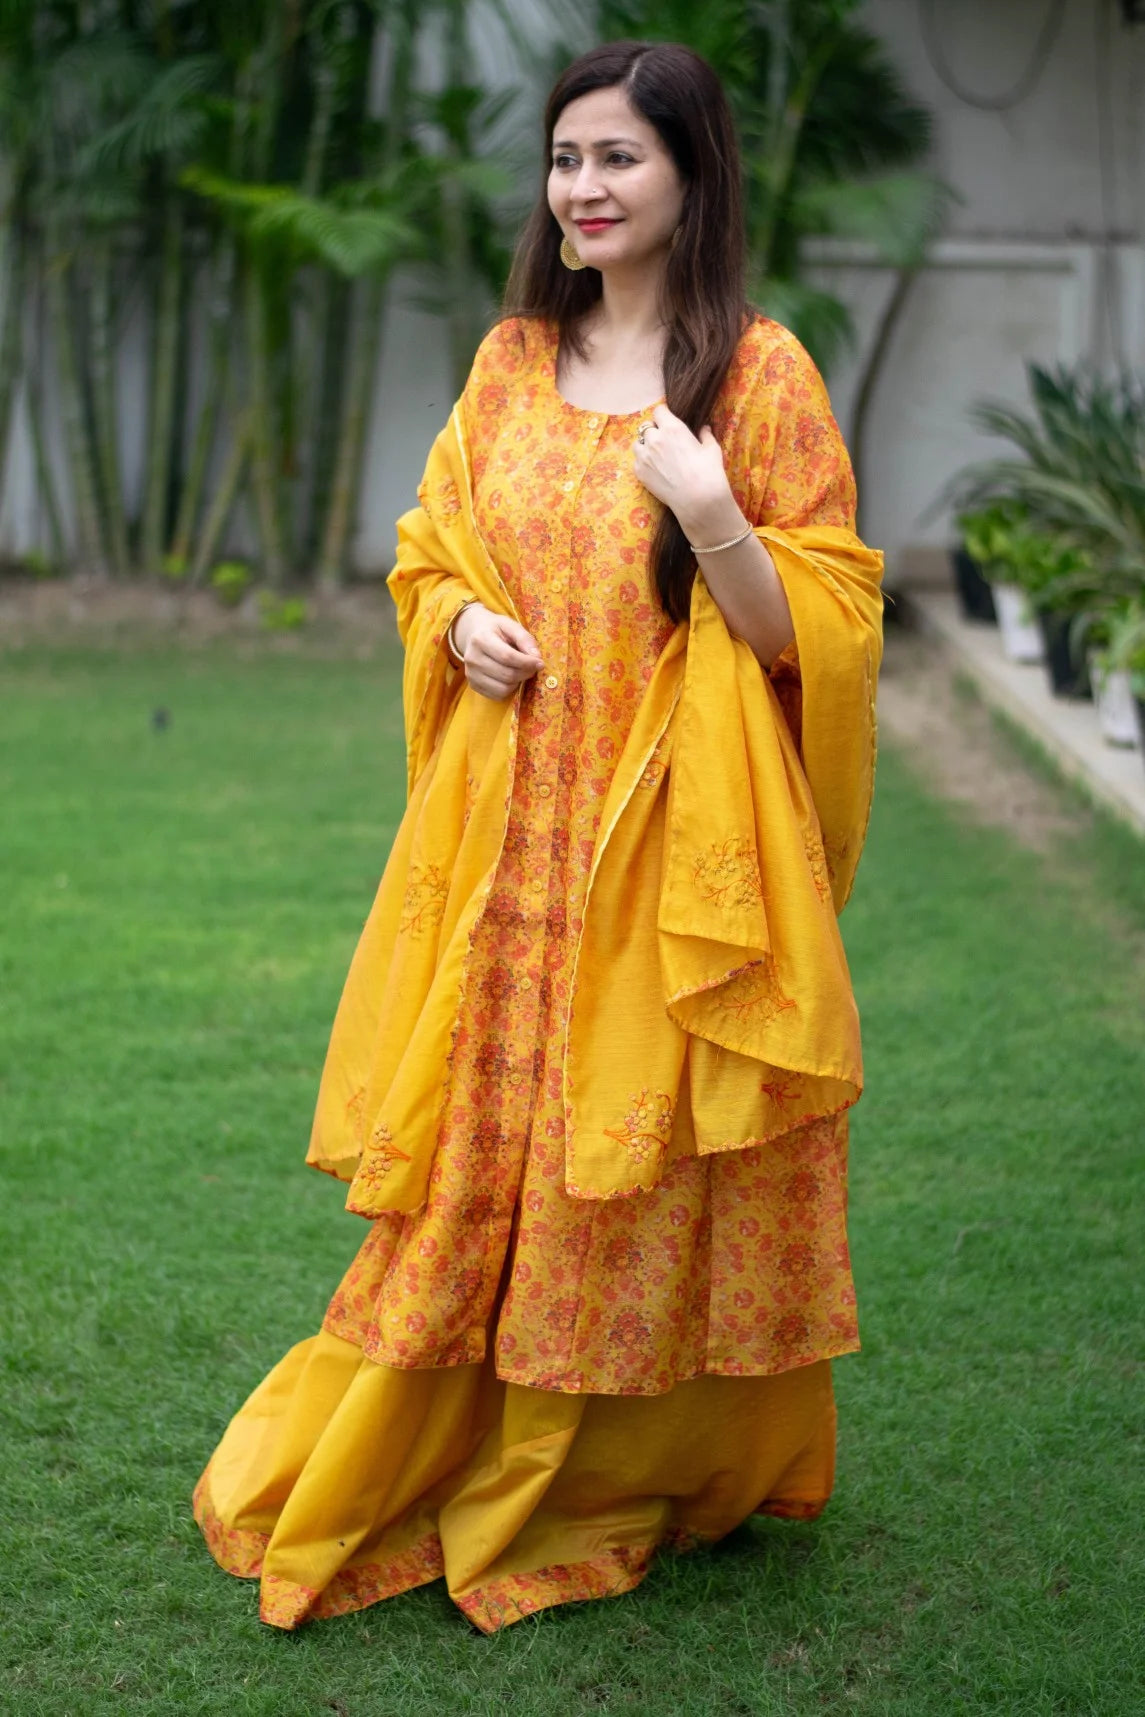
(251, 176)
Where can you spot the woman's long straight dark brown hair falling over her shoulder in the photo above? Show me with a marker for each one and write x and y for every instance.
(679, 94)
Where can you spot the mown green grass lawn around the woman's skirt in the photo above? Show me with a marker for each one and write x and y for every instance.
(179, 907)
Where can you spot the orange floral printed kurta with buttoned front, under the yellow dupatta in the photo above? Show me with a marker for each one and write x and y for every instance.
(732, 1265)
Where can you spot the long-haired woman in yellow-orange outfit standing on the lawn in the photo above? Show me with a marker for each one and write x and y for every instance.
(591, 1071)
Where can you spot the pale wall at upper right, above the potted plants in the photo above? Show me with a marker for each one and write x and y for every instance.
(1045, 257)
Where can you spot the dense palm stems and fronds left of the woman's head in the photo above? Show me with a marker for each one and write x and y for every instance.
(233, 157)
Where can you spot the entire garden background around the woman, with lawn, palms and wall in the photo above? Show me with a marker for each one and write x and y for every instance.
(248, 252)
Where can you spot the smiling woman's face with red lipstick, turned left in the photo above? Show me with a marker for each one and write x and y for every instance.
(614, 186)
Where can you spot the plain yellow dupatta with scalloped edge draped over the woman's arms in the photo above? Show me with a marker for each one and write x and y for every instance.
(712, 1004)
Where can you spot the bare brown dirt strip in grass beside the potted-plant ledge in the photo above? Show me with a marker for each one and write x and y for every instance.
(954, 744)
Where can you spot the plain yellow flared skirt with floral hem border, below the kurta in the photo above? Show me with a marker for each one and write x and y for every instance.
(342, 1483)
